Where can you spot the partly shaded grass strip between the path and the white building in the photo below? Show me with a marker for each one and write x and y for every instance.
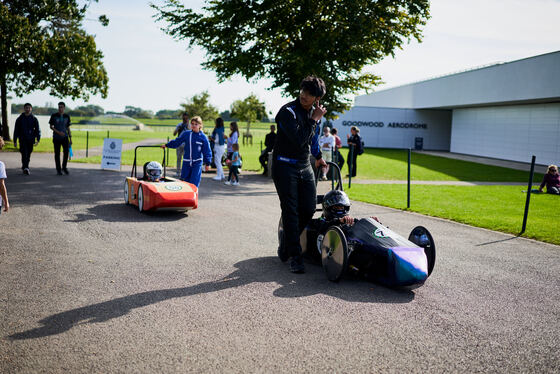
(391, 164)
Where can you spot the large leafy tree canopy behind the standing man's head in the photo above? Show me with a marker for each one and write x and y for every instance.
(286, 40)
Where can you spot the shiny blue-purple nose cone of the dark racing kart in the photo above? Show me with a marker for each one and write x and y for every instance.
(410, 265)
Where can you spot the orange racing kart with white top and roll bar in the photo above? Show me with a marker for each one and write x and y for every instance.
(167, 193)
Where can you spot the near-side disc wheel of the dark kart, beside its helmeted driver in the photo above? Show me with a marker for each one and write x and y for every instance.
(334, 253)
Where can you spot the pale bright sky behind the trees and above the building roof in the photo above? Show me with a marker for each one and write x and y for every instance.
(148, 69)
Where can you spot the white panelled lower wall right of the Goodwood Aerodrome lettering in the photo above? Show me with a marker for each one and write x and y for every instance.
(509, 132)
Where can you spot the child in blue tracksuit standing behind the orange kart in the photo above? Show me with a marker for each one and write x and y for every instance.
(197, 150)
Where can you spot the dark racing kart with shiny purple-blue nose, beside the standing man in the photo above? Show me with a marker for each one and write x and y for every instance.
(369, 249)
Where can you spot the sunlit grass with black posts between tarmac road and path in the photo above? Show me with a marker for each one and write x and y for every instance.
(473, 205)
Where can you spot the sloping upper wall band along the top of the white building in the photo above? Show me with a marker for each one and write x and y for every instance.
(534, 79)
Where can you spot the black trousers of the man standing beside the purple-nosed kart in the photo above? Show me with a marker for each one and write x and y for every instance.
(295, 185)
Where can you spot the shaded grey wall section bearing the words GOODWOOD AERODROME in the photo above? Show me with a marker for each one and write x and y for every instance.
(397, 128)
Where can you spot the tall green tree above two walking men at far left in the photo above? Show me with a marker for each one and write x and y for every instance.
(43, 46)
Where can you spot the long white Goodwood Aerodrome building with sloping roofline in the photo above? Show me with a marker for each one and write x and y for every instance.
(508, 111)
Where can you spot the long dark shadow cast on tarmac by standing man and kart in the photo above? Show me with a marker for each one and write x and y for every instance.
(255, 270)
